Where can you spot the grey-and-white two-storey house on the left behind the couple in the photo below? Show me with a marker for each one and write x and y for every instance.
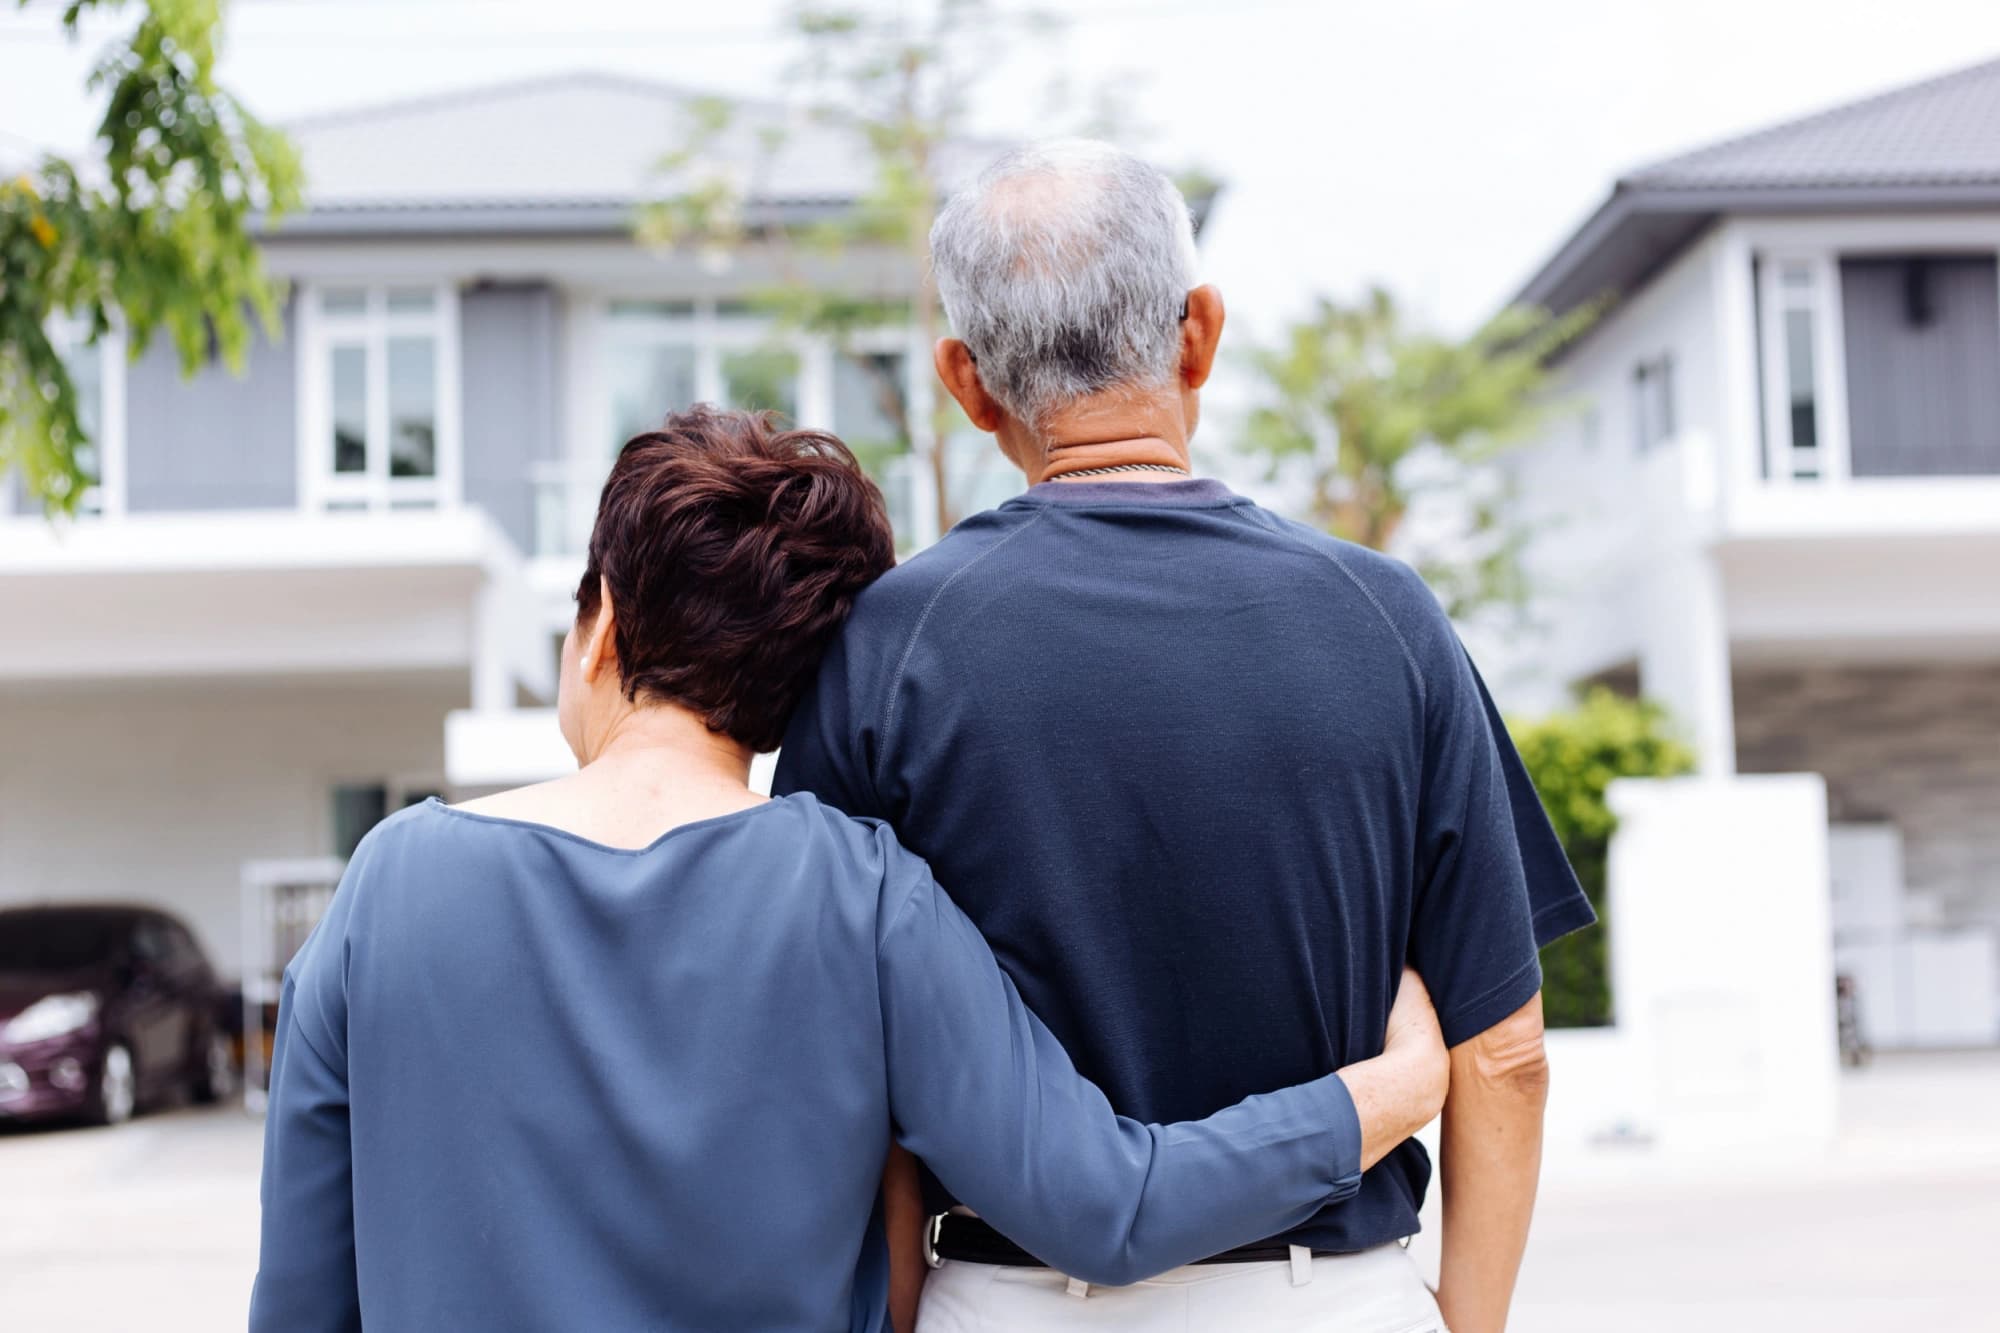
(307, 595)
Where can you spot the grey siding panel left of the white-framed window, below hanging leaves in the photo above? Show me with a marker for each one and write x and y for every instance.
(217, 441)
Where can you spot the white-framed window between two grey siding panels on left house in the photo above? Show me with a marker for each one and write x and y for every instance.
(379, 371)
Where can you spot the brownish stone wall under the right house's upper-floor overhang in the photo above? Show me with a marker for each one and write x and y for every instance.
(1909, 746)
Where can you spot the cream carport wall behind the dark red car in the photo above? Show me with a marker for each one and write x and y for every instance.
(161, 794)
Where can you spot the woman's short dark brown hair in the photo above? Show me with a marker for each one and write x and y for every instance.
(733, 551)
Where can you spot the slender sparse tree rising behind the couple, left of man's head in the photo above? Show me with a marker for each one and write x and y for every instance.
(901, 81)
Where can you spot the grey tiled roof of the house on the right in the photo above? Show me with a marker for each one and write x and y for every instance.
(1923, 147)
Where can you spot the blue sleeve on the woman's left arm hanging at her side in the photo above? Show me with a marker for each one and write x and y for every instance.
(307, 1272)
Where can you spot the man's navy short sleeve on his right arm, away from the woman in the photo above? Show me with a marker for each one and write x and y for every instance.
(1493, 884)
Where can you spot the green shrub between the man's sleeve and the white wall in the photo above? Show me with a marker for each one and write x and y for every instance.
(1573, 760)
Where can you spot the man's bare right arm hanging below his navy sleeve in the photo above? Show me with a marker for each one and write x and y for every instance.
(1491, 1162)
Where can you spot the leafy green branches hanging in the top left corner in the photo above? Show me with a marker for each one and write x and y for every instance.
(153, 231)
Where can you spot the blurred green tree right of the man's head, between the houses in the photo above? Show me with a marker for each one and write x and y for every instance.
(1381, 415)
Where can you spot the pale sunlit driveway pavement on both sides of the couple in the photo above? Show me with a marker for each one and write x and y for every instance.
(153, 1226)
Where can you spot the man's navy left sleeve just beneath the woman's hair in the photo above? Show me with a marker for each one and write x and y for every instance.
(829, 746)
